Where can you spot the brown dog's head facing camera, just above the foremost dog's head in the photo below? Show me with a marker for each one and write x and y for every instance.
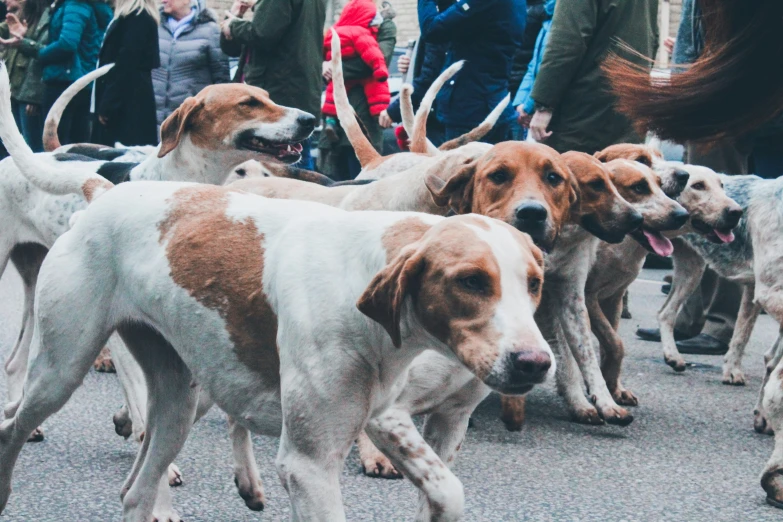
(526, 185)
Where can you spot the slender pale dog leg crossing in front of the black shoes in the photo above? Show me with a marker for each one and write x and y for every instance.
(688, 269)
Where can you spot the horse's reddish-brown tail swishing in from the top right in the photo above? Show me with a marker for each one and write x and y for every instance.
(734, 87)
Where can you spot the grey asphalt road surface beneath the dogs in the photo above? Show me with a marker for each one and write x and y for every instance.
(691, 453)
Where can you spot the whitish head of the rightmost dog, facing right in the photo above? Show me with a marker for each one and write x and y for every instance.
(713, 214)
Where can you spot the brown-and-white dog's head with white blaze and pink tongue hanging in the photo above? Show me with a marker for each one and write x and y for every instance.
(641, 187)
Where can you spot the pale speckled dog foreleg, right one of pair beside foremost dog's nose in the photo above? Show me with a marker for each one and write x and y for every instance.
(575, 324)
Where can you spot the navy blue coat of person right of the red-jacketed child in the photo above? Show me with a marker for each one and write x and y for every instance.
(486, 34)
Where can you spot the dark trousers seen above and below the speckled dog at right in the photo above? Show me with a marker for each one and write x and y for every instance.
(713, 308)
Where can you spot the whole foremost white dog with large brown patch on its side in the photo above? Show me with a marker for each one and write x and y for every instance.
(213, 288)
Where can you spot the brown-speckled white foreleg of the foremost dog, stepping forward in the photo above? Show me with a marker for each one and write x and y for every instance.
(394, 433)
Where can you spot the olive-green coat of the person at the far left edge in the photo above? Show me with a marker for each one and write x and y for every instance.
(30, 89)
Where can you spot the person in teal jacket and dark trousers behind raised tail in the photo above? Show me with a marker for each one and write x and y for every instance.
(75, 33)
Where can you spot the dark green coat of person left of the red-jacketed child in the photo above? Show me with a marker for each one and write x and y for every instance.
(280, 50)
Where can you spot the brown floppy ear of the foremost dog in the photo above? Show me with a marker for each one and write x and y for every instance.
(382, 300)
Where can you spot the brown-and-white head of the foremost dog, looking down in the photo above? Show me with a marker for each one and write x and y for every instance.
(473, 283)
